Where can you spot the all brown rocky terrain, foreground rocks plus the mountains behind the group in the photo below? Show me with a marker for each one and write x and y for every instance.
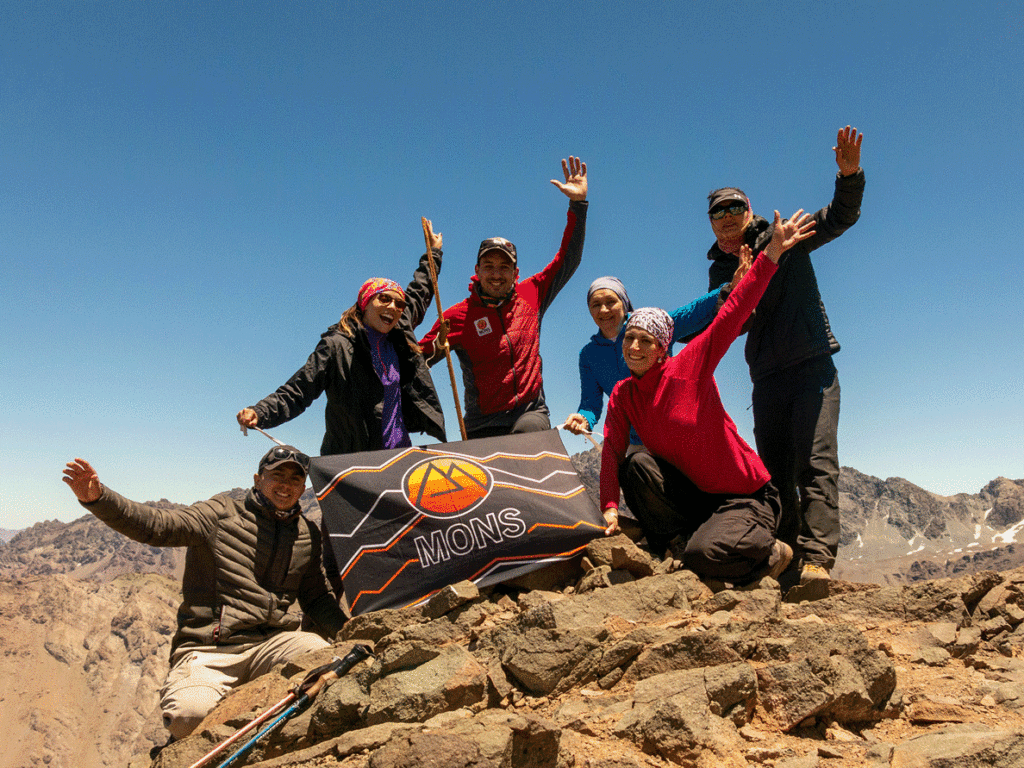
(914, 656)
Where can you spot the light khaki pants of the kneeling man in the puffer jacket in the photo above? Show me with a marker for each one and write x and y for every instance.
(205, 674)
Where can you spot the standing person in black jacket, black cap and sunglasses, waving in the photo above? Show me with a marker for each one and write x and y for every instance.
(789, 350)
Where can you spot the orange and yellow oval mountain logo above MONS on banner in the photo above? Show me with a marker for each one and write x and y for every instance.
(447, 487)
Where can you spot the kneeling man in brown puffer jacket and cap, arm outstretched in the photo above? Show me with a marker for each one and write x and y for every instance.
(248, 562)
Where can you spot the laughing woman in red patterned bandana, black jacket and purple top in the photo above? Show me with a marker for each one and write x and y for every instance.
(378, 386)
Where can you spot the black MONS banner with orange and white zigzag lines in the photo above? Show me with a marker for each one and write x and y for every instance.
(405, 524)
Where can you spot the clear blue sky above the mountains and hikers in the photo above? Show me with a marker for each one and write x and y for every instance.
(193, 193)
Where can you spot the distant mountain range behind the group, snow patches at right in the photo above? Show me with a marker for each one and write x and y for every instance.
(892, 532)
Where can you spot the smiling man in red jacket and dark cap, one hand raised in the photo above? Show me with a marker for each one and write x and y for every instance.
(496, 332)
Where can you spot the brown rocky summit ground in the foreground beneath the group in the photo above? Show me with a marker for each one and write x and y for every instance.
(633, 666)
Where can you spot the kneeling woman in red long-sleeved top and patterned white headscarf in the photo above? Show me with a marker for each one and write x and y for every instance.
(714, 493)
